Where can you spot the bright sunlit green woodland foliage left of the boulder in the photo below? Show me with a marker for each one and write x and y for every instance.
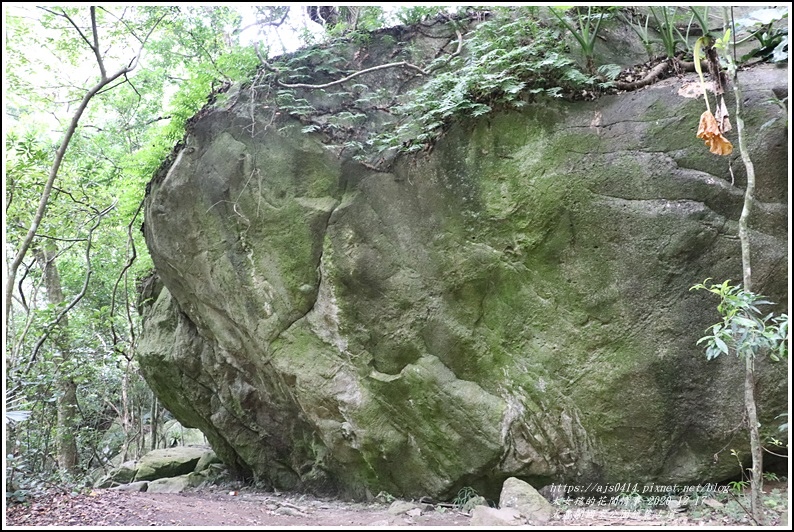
(93, 214)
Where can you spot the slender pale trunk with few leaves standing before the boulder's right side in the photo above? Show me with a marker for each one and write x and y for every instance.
(756, 480)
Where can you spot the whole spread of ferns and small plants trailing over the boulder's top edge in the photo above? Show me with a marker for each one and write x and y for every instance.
(507, 60)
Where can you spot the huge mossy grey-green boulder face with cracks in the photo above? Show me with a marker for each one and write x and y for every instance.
(513, 304)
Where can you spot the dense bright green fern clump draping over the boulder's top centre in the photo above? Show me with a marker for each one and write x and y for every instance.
(510, 60)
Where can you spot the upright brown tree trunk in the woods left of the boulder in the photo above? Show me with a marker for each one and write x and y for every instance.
(66, 402)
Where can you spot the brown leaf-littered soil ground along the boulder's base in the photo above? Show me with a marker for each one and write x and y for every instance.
(248, 507)
